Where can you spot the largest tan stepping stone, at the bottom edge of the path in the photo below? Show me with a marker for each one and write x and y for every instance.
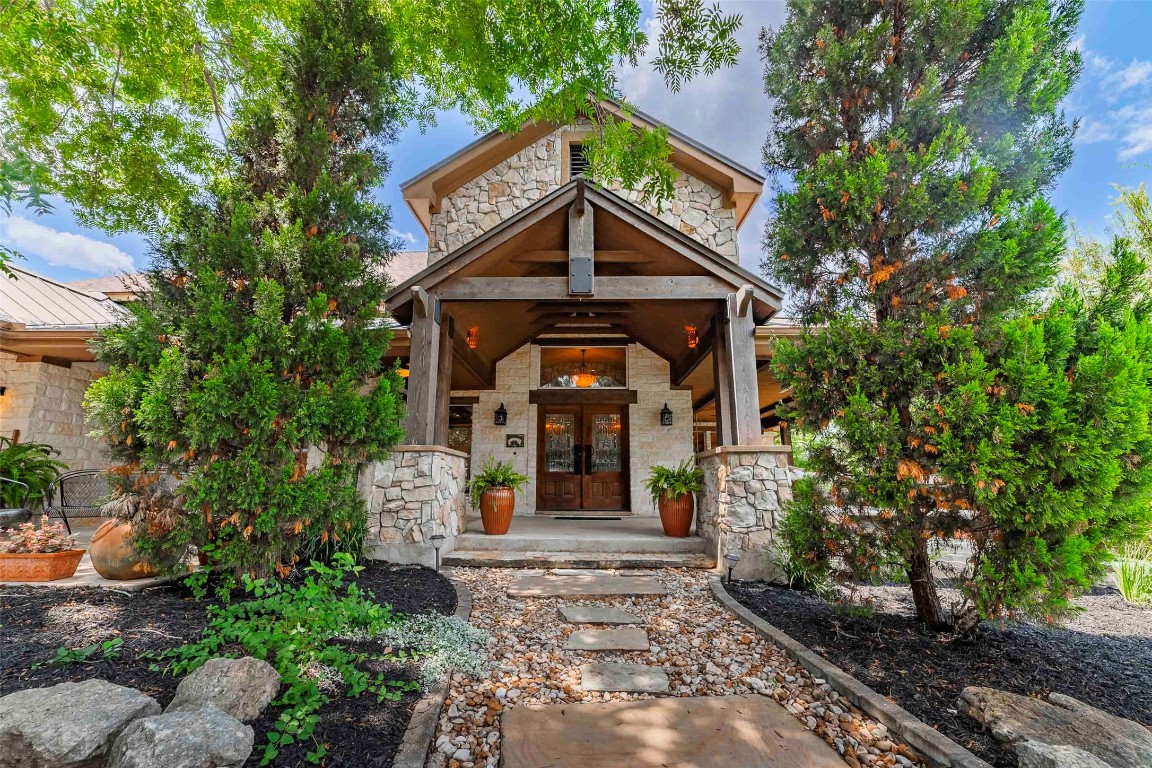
(752, 732)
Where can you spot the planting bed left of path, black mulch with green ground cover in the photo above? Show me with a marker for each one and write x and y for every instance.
(54, 636)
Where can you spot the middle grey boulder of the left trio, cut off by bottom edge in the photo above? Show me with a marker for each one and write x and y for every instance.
(206, 737)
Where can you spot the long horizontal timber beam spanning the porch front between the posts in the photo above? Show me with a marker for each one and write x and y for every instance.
(618, 290)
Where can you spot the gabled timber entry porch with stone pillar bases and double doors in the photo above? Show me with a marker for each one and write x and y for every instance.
(580, 272)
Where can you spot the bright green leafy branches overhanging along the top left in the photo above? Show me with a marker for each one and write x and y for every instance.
(120, 110)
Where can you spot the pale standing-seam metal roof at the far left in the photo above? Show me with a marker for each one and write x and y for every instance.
(37, 302)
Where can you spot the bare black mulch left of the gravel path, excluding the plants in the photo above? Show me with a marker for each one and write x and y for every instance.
(37, 621)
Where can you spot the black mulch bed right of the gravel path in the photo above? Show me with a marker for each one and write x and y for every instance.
(1103, 658)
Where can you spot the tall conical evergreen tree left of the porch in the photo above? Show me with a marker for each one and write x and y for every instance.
(253, 376)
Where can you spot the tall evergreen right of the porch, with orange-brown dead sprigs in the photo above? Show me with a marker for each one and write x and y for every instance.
(952, 389)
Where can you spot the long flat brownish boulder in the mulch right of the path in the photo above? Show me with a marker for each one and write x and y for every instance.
(1060, 721)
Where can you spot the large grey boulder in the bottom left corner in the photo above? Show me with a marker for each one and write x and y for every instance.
(67, 726)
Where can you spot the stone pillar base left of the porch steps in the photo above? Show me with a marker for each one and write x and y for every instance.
(416, 493)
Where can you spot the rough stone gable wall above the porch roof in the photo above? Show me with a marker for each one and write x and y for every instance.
(696, 209)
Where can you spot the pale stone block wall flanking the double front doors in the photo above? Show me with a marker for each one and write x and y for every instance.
(650, 444)
